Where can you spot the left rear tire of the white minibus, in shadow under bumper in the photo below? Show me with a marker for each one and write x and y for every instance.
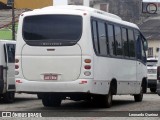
(51, 101)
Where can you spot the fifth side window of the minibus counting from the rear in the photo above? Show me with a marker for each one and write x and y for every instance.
(125, 42)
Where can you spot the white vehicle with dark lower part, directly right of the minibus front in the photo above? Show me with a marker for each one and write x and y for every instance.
(152, 73)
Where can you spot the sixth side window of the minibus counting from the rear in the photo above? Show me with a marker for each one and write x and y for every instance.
(131, 43)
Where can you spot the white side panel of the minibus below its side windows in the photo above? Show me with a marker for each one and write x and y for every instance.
(123, 70)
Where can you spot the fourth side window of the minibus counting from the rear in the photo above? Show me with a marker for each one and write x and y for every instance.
(118, 41)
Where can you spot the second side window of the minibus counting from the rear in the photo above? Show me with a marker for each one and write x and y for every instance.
(102, 38)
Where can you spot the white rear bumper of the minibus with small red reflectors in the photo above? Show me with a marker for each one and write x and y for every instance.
(77, 86)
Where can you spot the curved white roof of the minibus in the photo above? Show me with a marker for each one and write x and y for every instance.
(81, 9)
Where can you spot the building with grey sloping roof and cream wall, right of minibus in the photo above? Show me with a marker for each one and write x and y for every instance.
(151, 30)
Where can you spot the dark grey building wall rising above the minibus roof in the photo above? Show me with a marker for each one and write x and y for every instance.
(129, 10)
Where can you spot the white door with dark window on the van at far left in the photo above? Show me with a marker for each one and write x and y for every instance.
(10, 67)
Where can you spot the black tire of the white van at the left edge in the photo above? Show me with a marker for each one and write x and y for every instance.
(9, 97)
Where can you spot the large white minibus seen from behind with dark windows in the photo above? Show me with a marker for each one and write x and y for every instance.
(79, 53)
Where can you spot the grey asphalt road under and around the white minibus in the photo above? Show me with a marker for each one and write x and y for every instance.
(123, 106)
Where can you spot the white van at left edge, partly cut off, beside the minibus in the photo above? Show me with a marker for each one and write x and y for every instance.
(7, 70)
